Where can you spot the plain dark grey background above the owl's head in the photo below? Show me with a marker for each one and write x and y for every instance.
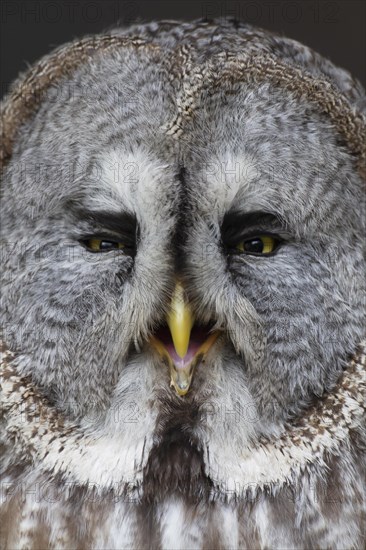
(31, 28)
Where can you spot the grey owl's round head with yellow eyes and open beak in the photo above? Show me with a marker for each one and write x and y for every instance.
(183, 229)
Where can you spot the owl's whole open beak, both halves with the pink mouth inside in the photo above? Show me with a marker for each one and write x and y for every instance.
(182, 343)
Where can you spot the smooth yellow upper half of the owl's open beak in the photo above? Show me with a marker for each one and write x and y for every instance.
(180, 321)
